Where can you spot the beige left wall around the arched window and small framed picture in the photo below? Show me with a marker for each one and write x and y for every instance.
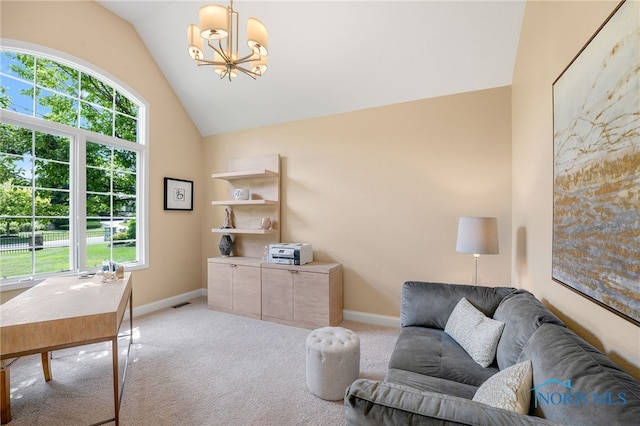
(88, 31)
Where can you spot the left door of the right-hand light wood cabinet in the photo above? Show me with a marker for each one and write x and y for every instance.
(277, 294)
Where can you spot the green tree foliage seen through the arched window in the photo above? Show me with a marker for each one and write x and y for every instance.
(35, 159)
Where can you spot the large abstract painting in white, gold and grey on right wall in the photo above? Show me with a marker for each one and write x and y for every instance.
(596, 182)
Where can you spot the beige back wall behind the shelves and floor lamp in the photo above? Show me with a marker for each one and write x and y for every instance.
(380, 190)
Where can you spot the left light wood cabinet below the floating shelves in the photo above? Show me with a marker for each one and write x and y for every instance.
(234, 286)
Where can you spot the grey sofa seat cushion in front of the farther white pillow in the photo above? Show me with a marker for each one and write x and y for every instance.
(433, 352)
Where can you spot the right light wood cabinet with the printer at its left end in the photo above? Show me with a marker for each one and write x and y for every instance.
(306, 296)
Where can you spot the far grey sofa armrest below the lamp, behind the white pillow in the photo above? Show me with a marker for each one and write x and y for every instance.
(425, 304)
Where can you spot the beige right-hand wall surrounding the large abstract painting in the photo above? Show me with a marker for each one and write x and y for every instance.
(551, 37)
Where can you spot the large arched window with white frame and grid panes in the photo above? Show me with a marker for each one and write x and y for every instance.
(73, 168)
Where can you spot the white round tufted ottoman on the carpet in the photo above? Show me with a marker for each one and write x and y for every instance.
(333, 361)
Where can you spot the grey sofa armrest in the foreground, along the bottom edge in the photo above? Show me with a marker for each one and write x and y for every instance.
(370, 402)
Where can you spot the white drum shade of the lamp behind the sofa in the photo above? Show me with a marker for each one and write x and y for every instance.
(477, 235)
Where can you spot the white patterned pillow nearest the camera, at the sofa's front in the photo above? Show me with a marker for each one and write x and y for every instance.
(509, 389)
